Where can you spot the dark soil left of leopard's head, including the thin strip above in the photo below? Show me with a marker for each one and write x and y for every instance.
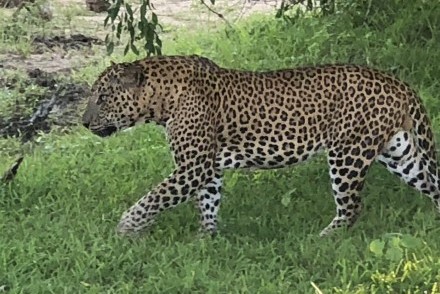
(60, 103)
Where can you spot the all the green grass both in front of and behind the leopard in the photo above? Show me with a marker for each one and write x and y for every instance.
(58, 217)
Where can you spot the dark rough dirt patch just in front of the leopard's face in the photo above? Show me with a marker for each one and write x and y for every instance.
(58, 107)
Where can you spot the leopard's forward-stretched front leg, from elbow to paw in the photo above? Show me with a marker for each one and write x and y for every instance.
(176, 189)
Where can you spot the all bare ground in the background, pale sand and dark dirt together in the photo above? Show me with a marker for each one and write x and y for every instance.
(71, 45)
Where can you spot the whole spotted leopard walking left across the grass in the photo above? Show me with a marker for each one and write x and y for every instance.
(217, 119)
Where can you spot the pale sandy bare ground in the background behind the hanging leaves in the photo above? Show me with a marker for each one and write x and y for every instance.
(173, 14)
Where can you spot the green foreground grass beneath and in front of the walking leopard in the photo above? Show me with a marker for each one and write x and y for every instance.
(58, 218)
